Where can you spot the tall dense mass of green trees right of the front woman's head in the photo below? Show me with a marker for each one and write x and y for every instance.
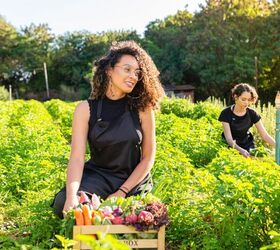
(216, 47)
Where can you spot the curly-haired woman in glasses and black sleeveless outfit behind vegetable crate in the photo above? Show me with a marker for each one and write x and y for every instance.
(118, 123)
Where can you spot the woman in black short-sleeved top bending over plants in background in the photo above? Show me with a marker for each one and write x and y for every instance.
(239, 118)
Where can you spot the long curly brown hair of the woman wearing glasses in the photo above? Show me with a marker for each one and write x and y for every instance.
(146, 93)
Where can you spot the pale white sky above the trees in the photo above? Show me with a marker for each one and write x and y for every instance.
(92, 15)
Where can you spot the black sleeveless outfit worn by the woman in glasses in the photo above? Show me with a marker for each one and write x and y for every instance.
(115, 138)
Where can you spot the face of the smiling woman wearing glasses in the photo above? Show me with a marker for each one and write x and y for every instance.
(124, 75)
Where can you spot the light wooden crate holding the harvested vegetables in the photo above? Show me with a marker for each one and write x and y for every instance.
(158, 243)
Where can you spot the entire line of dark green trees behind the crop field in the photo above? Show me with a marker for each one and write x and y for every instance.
(225, 42)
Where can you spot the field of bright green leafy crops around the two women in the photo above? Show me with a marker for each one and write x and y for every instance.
(216, 198)
